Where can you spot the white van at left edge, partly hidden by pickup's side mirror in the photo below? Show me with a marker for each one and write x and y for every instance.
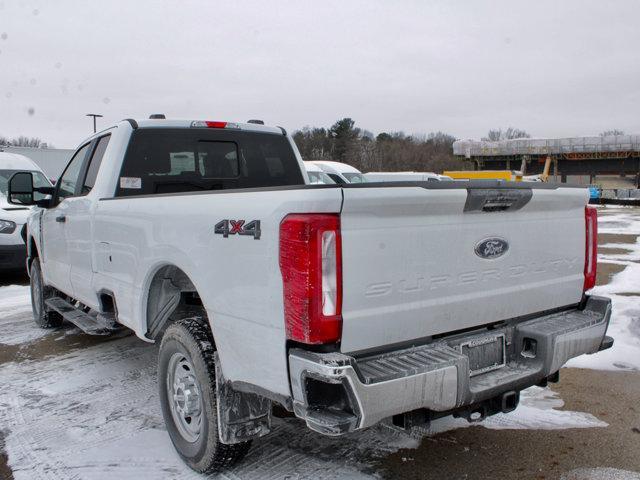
(13, 218)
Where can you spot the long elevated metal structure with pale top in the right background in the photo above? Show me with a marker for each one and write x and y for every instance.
(585, 156)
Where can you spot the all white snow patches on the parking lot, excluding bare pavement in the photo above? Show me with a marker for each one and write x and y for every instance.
(93, 413)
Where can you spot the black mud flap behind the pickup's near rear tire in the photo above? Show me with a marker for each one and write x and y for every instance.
(241, 415)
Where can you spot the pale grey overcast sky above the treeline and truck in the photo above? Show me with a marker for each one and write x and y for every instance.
(553, 68)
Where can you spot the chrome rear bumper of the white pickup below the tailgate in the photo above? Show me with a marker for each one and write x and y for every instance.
(337, 393)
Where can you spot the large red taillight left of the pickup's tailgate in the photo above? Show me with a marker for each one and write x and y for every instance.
(311, 267)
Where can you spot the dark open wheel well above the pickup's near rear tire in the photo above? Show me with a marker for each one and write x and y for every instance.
(172, 297)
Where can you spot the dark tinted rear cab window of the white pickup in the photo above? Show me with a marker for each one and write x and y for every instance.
(161, 160)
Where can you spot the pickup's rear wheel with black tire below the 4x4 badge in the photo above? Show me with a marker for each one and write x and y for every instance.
(190, 341)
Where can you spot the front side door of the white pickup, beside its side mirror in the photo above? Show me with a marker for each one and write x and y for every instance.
(56, 265)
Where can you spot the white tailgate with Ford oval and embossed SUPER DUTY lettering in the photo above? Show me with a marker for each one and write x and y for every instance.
(421, 261)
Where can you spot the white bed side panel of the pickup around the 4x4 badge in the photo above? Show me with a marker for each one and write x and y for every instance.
(238, 278)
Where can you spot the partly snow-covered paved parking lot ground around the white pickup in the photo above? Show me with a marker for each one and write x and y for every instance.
(81, 407)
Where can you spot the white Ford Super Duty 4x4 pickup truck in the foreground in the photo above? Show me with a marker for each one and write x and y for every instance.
(347, 304)
